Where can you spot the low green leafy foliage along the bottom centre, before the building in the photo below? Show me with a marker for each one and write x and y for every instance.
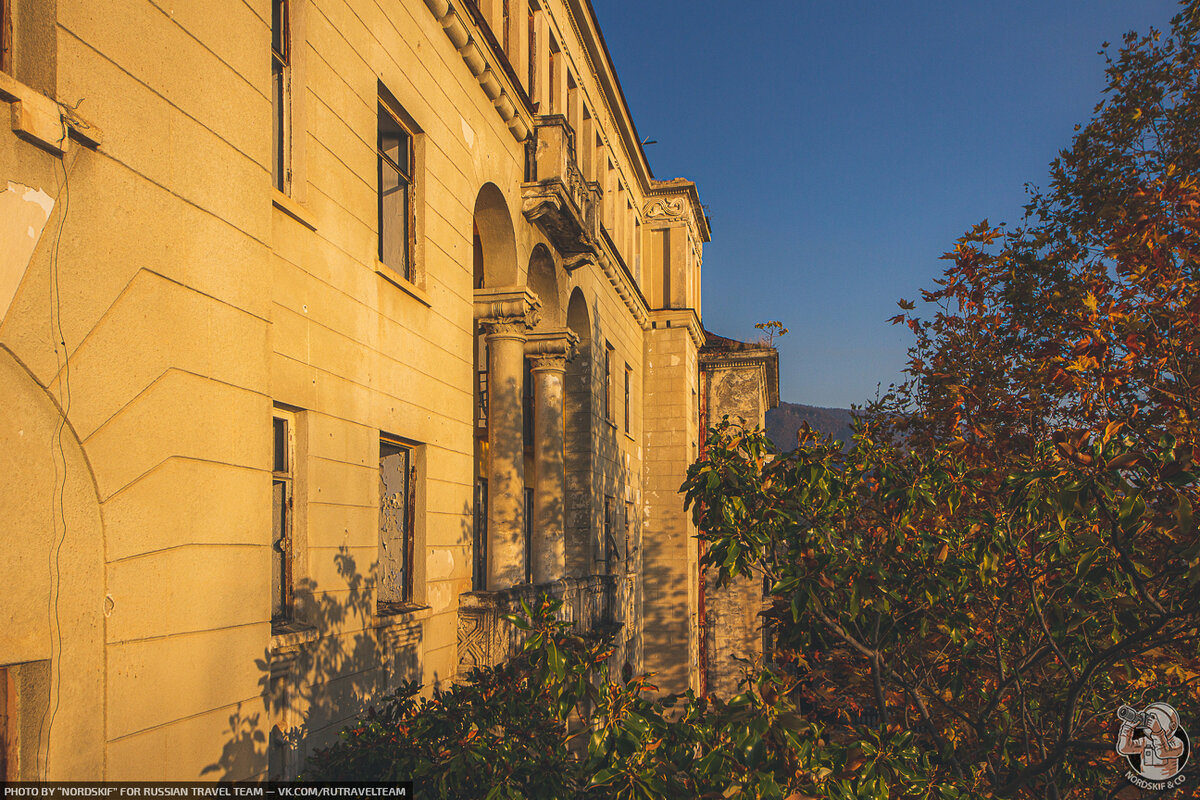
(553, 725)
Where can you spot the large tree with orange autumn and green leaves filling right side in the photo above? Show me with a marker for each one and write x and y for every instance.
(1010, 551)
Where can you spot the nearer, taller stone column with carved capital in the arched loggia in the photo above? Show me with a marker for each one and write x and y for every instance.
(506, 316)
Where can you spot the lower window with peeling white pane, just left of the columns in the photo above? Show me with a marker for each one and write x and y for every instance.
(398, 484)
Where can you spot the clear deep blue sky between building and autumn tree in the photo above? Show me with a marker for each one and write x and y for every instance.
(843, 147)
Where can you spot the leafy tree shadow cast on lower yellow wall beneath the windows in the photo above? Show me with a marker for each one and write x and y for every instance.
(320, 676)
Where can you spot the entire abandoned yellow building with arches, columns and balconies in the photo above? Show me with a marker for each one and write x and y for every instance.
(329, 330)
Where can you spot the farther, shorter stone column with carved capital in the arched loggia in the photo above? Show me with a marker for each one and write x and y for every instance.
(549, 352)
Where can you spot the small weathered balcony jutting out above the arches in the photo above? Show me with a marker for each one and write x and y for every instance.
(556, 197)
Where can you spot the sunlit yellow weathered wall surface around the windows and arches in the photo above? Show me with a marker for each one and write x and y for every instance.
(164, 299)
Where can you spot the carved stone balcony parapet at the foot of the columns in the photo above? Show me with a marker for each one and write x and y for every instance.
(487, 639)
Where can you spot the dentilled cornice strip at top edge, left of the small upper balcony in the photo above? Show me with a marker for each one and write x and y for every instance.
(471, 35)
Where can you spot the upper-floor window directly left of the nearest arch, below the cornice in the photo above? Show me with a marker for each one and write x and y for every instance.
(395, 151)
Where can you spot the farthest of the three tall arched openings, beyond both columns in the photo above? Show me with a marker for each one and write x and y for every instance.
(578, 441)
